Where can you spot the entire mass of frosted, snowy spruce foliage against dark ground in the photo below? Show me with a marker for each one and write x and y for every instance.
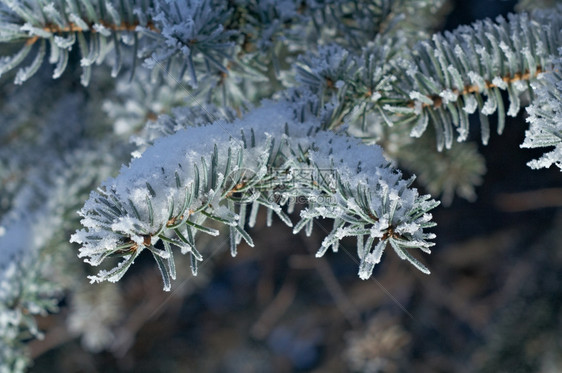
(241, 106)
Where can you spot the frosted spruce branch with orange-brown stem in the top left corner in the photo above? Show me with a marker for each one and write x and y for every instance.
(191, 30)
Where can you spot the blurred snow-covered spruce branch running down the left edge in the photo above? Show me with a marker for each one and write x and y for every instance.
(28, 258)
